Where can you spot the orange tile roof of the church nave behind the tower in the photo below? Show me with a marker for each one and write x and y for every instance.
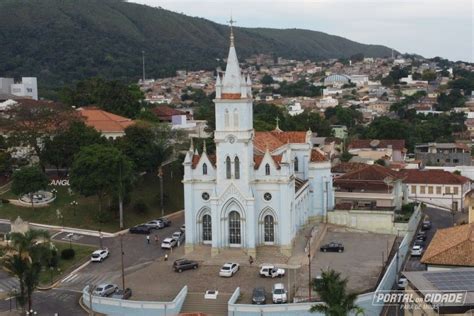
(274, 139)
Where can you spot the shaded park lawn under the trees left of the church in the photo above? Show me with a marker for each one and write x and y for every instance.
(146, 189)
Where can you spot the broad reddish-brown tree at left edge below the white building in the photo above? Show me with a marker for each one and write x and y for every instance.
(28, 124)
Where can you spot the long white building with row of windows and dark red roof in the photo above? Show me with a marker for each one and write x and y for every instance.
(436, 188)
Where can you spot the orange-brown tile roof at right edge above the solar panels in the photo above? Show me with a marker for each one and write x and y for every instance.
(451, 246)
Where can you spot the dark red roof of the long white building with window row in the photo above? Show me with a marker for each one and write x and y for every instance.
(432, 176)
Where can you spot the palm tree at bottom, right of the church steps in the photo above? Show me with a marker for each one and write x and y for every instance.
(331, 288)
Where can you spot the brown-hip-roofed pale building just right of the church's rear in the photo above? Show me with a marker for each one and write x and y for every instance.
(372, 187)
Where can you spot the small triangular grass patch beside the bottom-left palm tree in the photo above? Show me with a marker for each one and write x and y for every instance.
(82, 255)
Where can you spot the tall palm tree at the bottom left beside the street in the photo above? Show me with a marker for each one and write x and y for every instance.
(28, 253)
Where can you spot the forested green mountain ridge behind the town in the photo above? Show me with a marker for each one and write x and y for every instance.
(60, 41)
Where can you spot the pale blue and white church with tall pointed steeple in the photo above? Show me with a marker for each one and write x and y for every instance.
(259, 188)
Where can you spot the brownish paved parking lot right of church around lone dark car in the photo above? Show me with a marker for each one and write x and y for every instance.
(361, 262)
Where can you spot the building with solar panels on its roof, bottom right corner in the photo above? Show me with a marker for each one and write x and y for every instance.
(423, 284)
